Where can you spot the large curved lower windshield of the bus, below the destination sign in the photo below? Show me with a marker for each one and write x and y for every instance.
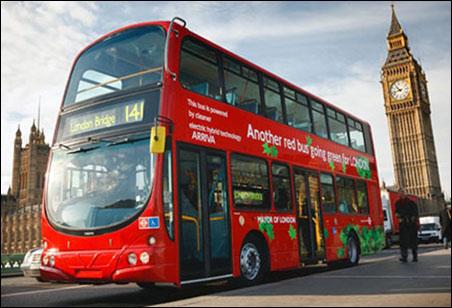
(99, 185)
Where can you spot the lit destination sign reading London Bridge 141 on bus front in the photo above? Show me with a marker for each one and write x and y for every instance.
(117, 115)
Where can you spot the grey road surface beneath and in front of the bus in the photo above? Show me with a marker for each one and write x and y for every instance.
(380, 280)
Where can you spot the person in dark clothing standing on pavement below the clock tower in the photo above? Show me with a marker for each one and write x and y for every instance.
(408, 215)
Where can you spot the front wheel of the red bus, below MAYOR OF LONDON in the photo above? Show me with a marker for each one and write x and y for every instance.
(254, 260)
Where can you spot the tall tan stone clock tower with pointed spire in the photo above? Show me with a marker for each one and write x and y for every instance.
(407, 107)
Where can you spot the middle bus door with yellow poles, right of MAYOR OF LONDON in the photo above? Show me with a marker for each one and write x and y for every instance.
(310, 220)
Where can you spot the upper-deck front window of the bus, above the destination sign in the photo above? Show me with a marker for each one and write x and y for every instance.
(126, 60)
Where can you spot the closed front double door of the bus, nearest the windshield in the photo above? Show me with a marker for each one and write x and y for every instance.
(205, 244)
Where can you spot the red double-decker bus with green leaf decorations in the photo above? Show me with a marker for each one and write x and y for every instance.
(176, 161)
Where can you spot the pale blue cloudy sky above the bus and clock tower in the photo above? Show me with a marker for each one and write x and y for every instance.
(334, 50)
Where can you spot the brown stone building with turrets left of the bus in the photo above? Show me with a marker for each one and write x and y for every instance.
(21, 207)
